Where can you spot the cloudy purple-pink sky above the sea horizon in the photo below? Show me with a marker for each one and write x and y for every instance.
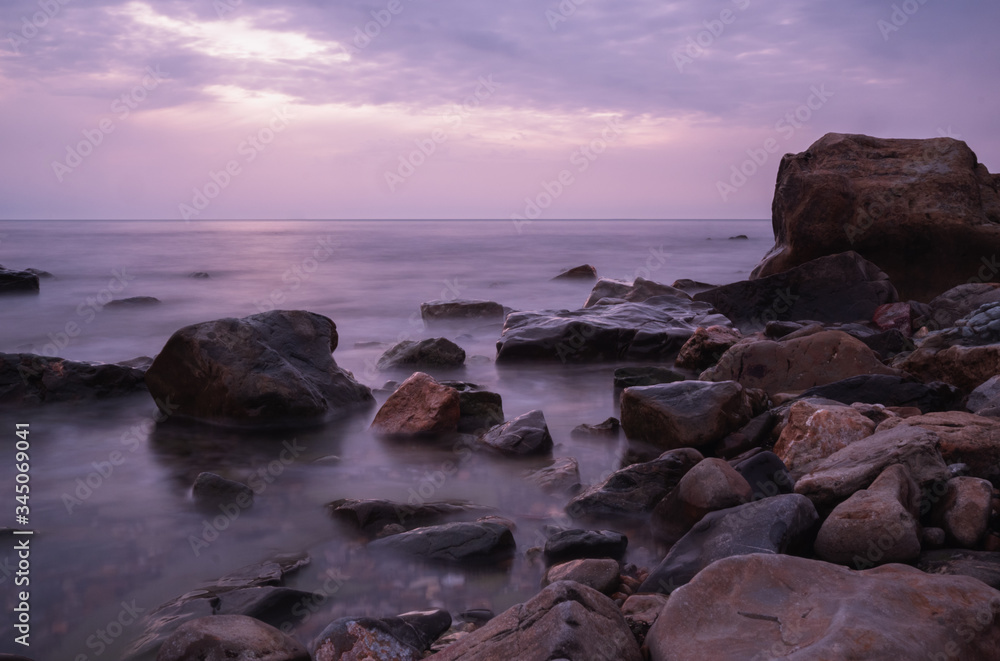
(464, 109)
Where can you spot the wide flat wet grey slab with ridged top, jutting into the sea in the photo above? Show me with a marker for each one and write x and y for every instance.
(655, 329)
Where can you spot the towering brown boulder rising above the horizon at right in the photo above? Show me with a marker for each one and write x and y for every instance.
(925, 211)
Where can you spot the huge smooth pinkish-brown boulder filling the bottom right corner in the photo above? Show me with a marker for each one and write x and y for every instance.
(763, 606)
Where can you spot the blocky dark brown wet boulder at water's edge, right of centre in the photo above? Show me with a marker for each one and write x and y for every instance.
(686, 413)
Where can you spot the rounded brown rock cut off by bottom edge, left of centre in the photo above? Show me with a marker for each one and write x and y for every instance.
(223, 637)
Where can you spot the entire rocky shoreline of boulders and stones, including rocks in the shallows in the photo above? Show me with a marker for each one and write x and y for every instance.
(816, 456)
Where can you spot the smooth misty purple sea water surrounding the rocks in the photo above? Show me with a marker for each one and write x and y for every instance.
(127, 536)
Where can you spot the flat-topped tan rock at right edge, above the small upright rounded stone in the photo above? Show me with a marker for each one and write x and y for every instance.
(963, 438)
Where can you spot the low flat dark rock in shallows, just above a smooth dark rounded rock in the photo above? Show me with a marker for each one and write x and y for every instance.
(371, 516)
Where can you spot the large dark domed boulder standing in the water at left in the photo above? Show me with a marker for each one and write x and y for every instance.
(271, 368)
